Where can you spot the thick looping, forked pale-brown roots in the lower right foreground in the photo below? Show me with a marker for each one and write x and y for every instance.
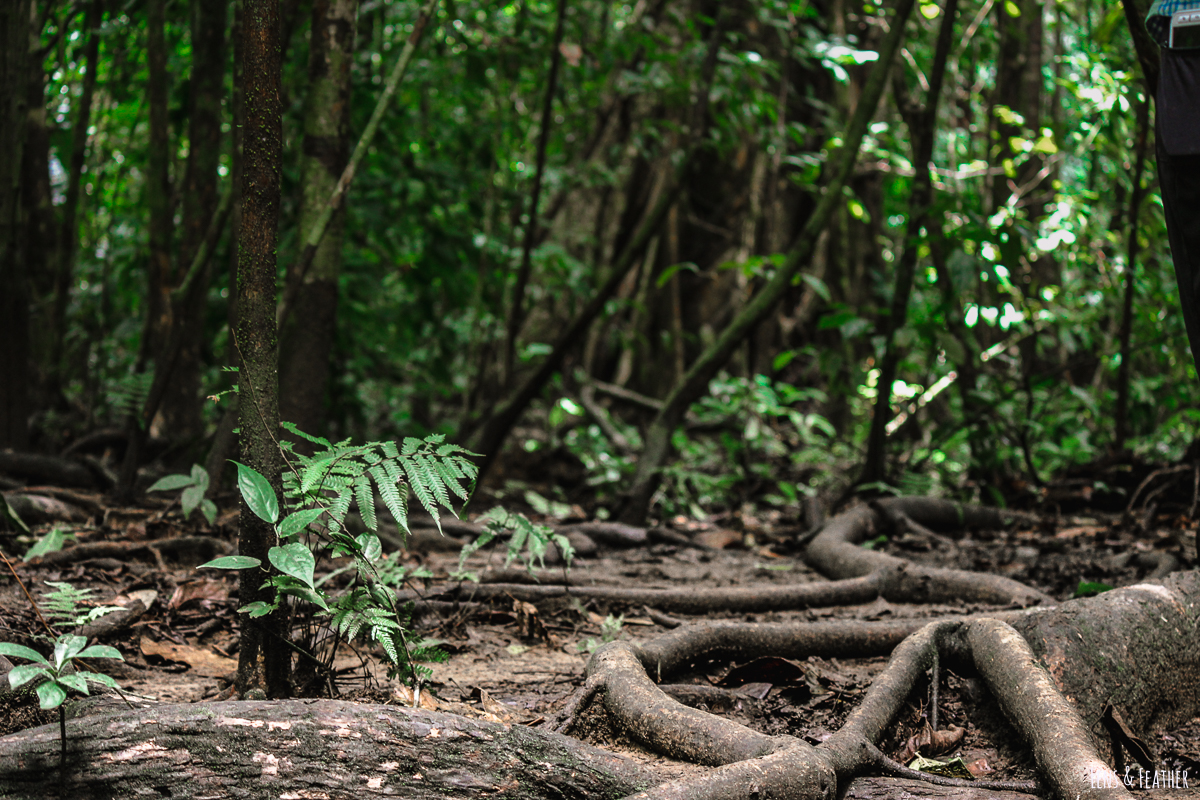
(752, 765)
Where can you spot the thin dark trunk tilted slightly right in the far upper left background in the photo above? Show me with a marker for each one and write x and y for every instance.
(69, 240)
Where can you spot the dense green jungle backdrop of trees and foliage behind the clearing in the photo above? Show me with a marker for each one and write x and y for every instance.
(607, 185)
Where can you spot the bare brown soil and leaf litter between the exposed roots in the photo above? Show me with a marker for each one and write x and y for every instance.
(519, 663)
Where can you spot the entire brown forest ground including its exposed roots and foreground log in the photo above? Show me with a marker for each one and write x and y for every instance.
(741, 657)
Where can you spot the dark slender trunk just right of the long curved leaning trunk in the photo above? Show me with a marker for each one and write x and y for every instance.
(923, 130)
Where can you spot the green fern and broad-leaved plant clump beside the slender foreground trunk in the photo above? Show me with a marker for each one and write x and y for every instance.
(319, 492)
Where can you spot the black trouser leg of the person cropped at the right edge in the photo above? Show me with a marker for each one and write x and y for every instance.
(1180, 182)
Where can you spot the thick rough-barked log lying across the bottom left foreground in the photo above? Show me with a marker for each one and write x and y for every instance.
(331, 749)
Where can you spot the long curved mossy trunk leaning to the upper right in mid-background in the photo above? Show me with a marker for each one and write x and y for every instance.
(695, 383)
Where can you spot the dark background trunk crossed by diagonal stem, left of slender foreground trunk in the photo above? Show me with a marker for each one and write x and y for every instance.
(182, 405)
